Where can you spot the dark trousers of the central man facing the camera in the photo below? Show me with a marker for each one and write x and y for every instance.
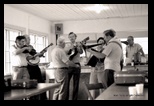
(75, 74)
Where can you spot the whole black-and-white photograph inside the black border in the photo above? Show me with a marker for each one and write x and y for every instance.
(75, 52)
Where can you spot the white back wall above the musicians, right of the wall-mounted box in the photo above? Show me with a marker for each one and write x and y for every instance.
(137, 26)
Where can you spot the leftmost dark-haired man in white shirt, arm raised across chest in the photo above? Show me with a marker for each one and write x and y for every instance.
(18, 59)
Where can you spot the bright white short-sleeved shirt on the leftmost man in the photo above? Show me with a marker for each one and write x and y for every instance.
(19, 59)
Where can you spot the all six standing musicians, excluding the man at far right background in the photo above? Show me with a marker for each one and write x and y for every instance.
(66, 62)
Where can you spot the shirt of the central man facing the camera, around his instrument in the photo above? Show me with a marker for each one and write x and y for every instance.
(76, 58)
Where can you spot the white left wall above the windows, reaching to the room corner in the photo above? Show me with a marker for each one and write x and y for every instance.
(15, 17)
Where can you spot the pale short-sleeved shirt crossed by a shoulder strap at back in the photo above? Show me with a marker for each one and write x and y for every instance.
(113, 54)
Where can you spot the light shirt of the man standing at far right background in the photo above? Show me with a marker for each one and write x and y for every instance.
(131, 50)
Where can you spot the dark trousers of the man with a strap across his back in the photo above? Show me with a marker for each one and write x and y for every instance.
(109, 76)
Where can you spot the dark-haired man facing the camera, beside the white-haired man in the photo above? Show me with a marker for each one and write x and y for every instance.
(74, 72)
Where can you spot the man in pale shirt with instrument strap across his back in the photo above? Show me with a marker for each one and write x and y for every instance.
(113, 54)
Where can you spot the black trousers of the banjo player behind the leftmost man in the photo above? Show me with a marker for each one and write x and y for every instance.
(35, 73)
